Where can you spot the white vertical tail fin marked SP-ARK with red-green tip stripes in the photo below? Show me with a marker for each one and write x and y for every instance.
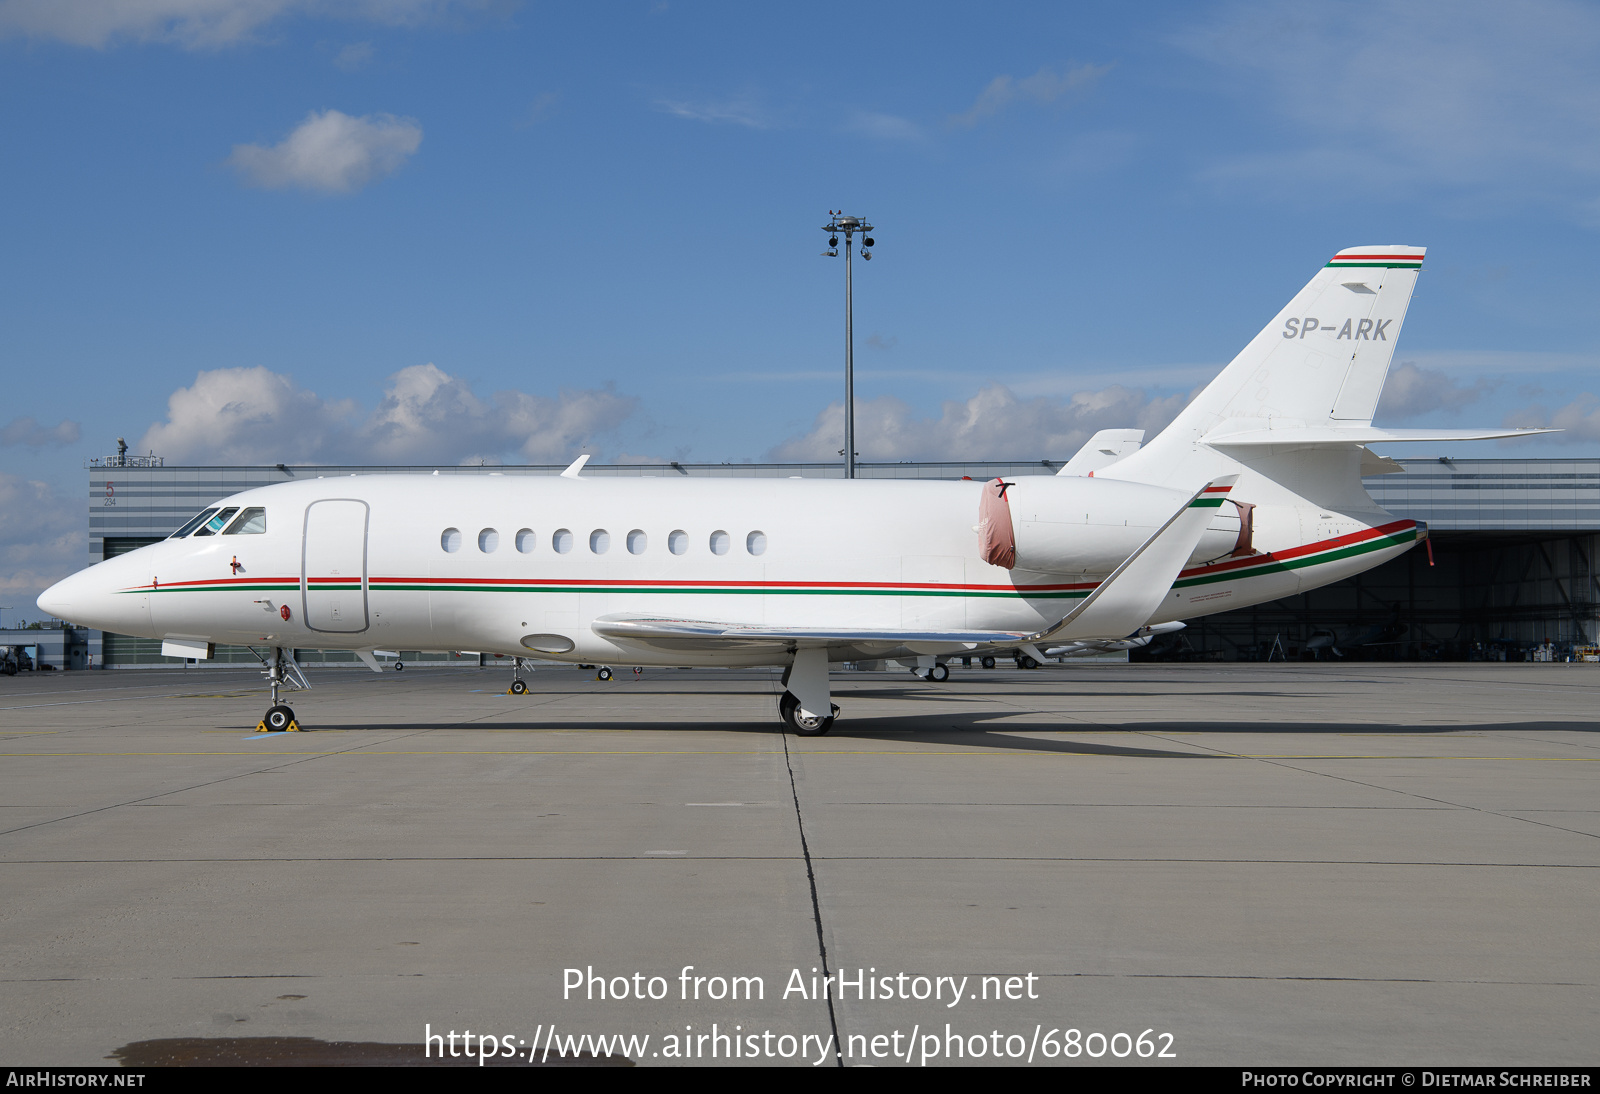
(1321, 362)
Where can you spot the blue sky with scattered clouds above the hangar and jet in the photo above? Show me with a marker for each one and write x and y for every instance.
(498, 231)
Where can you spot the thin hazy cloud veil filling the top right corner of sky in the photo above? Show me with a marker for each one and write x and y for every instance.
(1479, 102)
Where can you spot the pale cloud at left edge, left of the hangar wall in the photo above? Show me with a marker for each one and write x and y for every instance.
(42, 540)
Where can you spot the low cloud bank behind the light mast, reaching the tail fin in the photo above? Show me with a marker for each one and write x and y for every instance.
(993, 425)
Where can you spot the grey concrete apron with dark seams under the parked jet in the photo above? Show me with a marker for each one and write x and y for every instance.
(1225, 864)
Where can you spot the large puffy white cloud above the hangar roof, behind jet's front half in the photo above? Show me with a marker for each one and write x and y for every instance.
(425, 417)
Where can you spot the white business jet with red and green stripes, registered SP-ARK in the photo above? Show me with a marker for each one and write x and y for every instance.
(1254, 493)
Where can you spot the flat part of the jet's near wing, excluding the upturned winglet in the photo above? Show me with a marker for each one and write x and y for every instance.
(666, 633)
